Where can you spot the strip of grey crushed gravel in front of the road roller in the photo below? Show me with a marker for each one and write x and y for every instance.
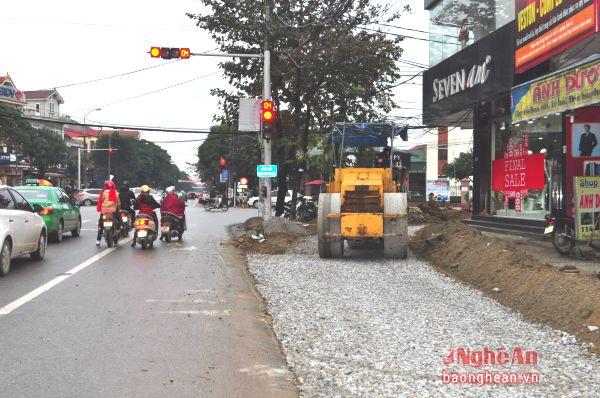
(365, 327)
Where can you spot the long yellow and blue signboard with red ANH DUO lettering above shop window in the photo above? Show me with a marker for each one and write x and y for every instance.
(563, 90)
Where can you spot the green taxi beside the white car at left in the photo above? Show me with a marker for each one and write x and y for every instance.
(59, 213)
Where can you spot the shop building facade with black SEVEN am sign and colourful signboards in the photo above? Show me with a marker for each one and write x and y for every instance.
(529, 88)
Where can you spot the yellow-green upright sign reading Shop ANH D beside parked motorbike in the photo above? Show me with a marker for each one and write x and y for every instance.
(587, 207)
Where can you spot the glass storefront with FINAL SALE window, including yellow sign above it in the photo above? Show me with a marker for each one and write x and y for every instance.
(557, 119)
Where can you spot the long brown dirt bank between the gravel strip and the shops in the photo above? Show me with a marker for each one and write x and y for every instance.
(565, 301)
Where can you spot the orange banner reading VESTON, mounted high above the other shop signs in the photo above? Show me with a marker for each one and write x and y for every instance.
(544, 28)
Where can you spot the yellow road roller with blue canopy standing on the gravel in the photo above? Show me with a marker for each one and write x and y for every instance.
(363, 205)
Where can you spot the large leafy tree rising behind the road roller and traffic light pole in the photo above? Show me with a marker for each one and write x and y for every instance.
(325, 66)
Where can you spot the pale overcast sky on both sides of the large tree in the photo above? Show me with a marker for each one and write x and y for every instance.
(53, 44)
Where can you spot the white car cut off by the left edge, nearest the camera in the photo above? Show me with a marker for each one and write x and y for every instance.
(22, 230)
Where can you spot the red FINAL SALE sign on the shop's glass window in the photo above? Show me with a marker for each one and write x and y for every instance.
(518, 172)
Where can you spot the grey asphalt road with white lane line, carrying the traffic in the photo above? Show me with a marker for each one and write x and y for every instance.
(178, 320)
